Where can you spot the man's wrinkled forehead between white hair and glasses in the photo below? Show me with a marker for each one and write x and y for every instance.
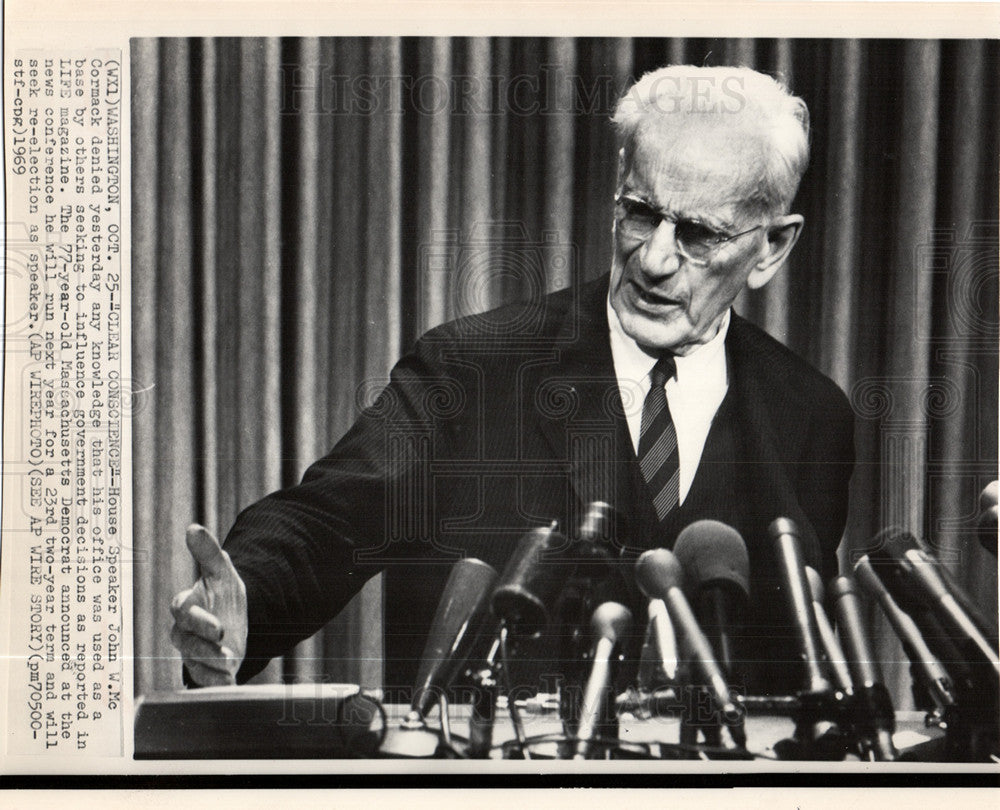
(690, 151)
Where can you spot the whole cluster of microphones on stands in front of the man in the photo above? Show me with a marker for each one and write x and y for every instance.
(697, 594)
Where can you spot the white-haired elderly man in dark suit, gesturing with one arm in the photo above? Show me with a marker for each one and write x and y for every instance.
(641, 388)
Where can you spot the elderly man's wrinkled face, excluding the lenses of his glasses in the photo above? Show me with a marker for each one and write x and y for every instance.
(694, 171)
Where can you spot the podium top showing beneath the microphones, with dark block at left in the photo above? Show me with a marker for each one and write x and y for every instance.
(340, 721)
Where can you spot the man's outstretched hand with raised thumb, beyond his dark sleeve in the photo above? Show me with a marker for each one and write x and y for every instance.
(210, 618)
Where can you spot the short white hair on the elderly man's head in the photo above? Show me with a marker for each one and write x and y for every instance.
(756, 104)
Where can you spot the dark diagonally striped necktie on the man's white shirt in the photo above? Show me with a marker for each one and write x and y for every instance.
(658, 456)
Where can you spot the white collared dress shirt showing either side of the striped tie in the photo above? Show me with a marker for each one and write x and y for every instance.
(694, 395)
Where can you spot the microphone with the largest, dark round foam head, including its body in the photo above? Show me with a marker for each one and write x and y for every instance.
(717, 569)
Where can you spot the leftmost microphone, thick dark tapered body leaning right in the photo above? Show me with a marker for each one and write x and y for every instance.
(452, 633)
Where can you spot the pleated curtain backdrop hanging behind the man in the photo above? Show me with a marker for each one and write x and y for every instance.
(303, 209)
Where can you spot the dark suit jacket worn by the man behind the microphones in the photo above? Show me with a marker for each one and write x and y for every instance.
(501, 422)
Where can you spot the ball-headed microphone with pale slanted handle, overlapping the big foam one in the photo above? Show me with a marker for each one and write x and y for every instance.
(660, 576)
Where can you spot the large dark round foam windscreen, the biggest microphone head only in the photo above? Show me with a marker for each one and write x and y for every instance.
(710, 551)
